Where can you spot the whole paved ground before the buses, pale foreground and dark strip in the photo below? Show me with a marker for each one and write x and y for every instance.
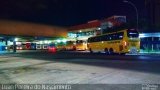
(79, 68)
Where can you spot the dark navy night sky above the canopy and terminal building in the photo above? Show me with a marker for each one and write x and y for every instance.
(66, 12)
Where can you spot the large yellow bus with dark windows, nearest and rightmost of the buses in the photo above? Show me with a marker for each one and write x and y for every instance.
(121, 42)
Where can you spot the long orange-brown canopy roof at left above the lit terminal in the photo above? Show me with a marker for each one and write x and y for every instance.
(30, 29)
